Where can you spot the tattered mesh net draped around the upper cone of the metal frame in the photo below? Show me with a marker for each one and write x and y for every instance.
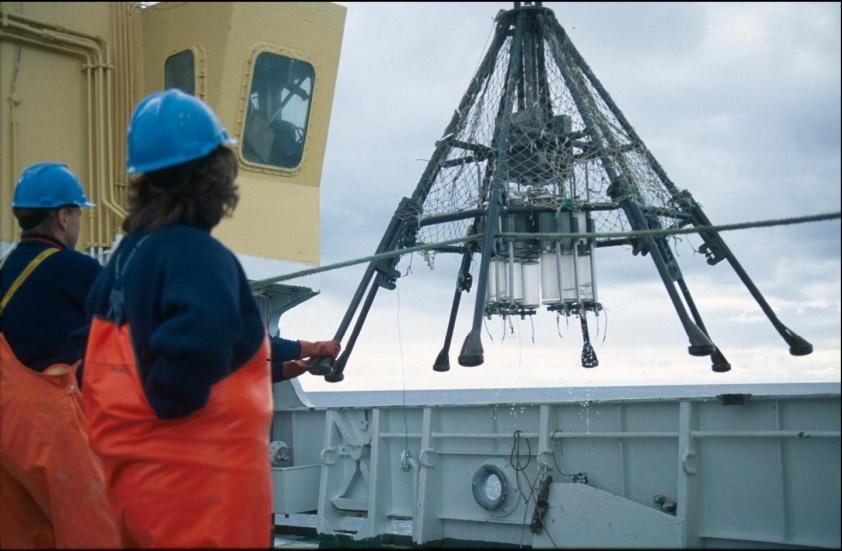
(563, 138)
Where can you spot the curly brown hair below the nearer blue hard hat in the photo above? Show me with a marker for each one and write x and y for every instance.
(198, 193)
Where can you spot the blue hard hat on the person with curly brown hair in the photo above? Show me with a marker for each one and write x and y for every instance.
(169, 128)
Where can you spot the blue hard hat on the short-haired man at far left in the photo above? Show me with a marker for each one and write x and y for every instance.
(47, 186)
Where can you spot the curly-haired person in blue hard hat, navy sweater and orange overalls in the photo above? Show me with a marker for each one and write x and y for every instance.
(177, 369)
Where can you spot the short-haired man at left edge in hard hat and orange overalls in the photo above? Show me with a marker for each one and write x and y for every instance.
(52, 486)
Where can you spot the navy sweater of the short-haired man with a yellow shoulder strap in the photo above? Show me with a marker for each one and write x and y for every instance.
(49, 306)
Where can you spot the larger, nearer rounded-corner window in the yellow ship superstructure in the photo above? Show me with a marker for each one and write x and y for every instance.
(278, 110)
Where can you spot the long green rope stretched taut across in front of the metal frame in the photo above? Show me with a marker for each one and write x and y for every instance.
(259, 284)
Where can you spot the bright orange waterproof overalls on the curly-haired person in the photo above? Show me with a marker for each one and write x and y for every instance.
(198, 481)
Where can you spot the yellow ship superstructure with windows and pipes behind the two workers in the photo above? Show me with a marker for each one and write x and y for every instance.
(71, 72)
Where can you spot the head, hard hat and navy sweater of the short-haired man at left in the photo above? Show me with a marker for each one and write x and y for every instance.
(50, 305)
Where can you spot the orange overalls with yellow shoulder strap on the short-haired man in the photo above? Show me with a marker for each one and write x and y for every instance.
(52, 490)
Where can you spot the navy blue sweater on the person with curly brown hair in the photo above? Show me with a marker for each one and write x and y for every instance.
(192, 316)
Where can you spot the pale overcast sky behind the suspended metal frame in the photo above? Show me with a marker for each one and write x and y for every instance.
(740, 103)
